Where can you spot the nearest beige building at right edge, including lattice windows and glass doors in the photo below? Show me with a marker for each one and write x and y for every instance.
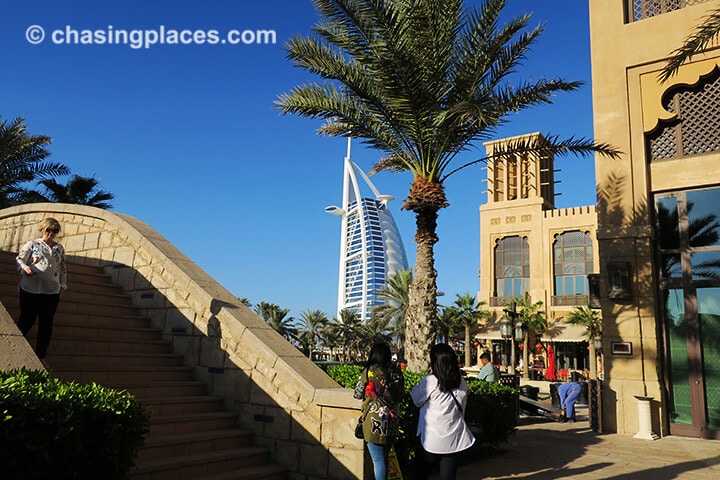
(658, 217)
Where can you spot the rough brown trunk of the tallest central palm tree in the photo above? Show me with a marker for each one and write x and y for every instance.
(422, 297)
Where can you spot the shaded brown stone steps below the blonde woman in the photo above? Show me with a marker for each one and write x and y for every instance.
(99, 336)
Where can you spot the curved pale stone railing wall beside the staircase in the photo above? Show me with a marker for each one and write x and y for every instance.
(291, 405)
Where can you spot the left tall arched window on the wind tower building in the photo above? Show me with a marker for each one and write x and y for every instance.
(512, 267)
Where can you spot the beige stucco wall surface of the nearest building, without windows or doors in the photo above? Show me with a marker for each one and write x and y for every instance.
(621, 55)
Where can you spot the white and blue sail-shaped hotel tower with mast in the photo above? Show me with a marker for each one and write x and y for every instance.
(371, 249)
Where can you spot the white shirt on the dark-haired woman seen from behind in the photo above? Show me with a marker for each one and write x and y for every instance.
(442, 427)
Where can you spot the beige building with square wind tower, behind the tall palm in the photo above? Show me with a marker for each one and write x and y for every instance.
(527, 245)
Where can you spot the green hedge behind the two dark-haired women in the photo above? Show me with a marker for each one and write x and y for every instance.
(492, 409)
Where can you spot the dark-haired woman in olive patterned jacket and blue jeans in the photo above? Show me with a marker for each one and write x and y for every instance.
(381, 387)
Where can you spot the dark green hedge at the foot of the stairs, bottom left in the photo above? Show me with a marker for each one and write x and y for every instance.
(51, 429)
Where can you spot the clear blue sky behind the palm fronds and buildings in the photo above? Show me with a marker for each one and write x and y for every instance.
(186, 138)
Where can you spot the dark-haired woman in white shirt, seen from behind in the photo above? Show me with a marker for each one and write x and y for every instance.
(442, 430)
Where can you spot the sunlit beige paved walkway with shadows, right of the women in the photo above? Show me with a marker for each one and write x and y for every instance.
(544, 449)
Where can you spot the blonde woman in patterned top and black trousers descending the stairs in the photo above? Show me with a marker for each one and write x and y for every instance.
(43, 275)
